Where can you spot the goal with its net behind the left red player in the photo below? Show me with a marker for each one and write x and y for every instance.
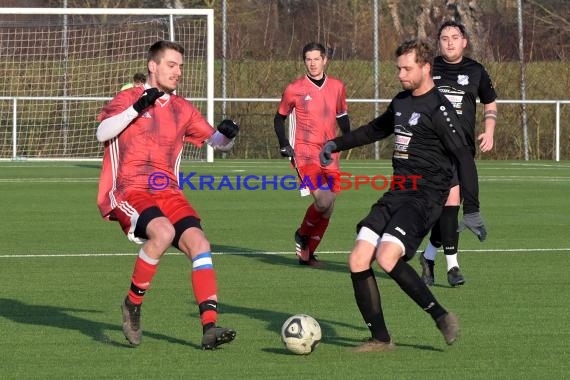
(60, 66)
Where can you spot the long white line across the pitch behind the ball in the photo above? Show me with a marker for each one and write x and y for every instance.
(269, 253)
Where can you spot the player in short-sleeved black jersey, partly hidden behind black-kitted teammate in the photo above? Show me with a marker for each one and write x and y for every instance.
(462, 80)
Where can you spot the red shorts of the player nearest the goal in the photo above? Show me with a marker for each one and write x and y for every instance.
(171, 203)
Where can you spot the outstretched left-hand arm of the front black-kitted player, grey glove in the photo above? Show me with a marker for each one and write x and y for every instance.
(377, 129)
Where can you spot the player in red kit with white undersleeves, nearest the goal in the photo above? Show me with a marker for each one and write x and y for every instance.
(144, 129)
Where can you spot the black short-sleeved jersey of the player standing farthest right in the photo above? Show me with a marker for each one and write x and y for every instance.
(462, 83)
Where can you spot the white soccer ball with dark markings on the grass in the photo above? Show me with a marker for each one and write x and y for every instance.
(301, 334)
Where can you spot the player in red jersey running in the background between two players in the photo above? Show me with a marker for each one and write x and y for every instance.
(316, 103)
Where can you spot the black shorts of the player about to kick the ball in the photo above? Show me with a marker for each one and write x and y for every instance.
(408, 217)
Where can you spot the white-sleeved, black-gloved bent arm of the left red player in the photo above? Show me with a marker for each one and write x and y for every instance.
(111, 127)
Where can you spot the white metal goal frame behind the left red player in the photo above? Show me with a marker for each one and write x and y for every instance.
(208, 13)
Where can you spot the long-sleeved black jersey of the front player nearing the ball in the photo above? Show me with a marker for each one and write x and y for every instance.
(427, 138)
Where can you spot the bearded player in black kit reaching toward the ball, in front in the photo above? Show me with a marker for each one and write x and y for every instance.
(427, 137)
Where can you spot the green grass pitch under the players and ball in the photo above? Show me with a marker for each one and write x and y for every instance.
(64, 272)
